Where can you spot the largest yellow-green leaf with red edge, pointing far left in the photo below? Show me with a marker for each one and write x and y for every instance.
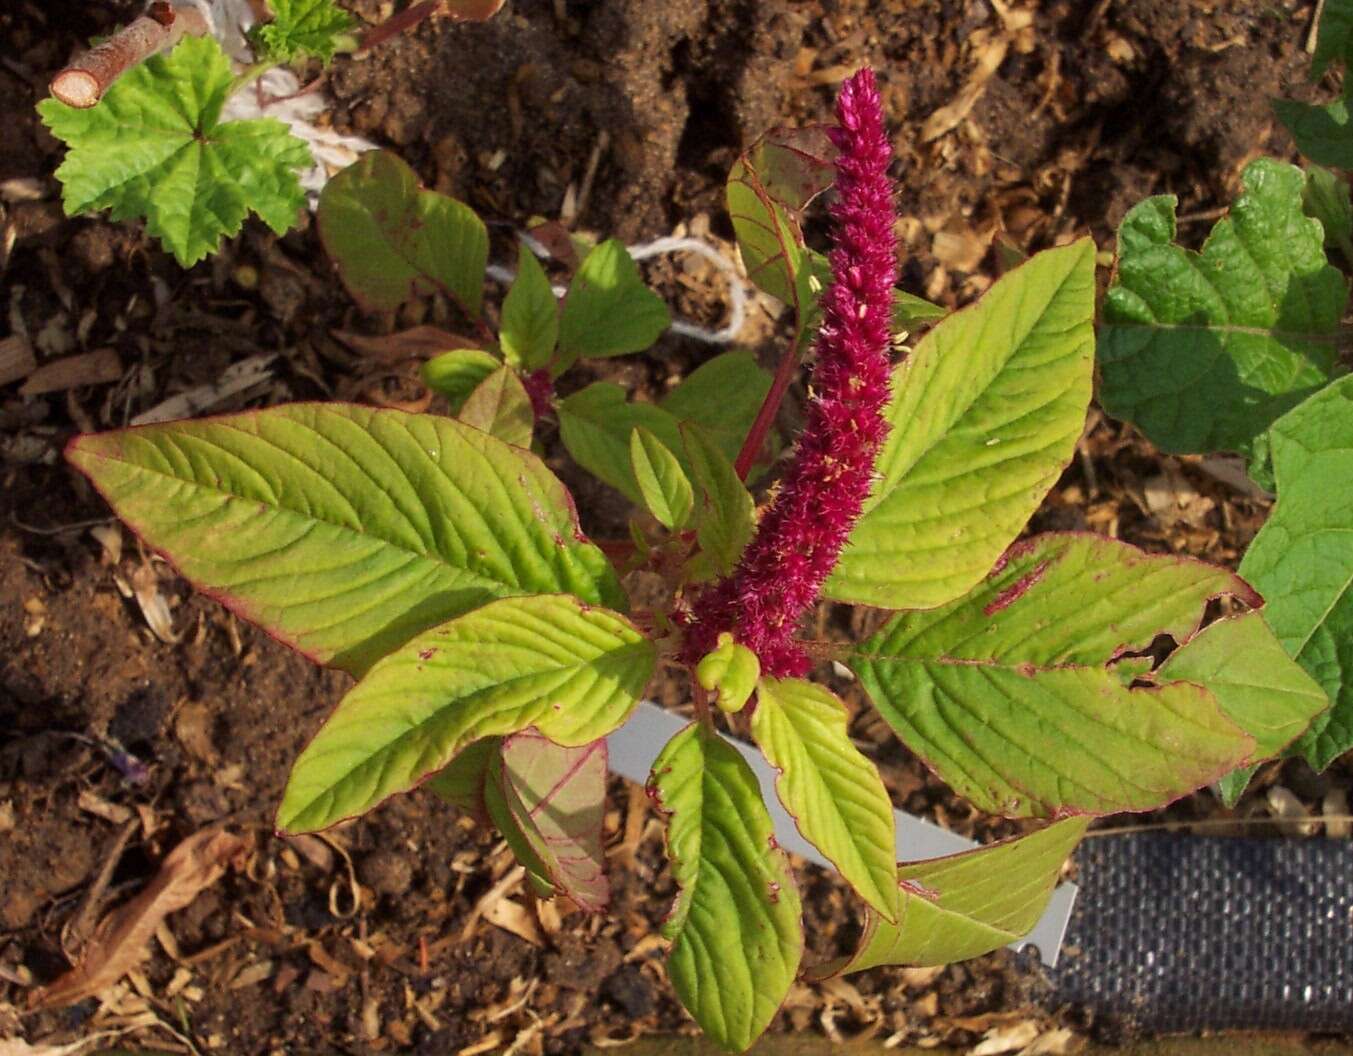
(344, 530)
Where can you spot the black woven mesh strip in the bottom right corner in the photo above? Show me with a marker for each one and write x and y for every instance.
(1185, 933)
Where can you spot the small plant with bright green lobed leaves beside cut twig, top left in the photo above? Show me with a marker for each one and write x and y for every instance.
(145, 131)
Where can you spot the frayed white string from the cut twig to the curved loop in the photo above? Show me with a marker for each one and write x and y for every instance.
(275, 95)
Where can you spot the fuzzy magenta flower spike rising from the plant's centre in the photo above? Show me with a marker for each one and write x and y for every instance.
(802, 534)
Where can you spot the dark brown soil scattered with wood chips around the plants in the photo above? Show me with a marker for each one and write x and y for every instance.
(105, 728)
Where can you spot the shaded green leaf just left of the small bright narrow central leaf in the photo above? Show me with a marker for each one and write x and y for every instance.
(596, 424)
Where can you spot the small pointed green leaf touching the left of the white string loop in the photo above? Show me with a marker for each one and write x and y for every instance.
(608, 311)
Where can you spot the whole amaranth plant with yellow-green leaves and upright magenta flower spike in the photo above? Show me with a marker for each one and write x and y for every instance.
(495, 645)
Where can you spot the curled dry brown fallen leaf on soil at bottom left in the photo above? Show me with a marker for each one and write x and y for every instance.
(124, 938)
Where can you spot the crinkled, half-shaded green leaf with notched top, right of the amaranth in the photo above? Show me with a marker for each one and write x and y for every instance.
(1203, 351)
